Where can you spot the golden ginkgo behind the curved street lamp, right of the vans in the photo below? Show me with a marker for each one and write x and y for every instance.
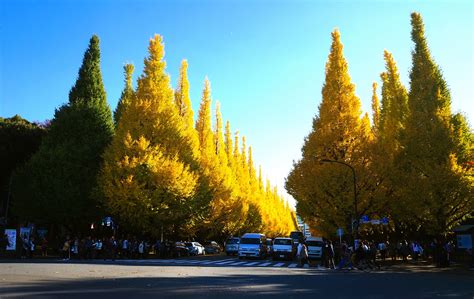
(324, 190)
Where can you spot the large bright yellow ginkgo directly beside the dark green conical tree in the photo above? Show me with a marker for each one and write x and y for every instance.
(148, 180)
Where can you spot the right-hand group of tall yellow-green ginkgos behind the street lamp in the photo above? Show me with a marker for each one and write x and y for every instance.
(413, 164)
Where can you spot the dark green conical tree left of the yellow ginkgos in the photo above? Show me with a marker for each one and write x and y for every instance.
(57, 185)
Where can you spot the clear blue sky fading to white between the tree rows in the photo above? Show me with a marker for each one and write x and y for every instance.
(265, 59)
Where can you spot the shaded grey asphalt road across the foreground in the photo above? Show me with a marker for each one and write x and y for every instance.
(212, 277)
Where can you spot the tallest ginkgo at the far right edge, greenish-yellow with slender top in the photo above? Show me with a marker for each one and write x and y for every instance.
(437, 190)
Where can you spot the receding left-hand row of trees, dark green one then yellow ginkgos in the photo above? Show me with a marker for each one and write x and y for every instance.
(150, 166)
